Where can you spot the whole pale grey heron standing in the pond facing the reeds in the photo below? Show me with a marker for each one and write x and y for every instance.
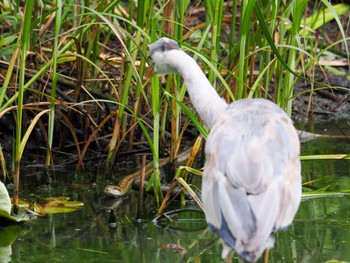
(252, 180)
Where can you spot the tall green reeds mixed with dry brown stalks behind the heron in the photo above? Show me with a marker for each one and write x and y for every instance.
(80, 74)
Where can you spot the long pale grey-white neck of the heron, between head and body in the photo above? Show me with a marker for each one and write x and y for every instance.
(207, 102)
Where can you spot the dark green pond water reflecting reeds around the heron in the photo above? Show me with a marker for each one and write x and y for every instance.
(319, 233)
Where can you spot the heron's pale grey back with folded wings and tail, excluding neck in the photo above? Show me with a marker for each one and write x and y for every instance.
(252, 173)
